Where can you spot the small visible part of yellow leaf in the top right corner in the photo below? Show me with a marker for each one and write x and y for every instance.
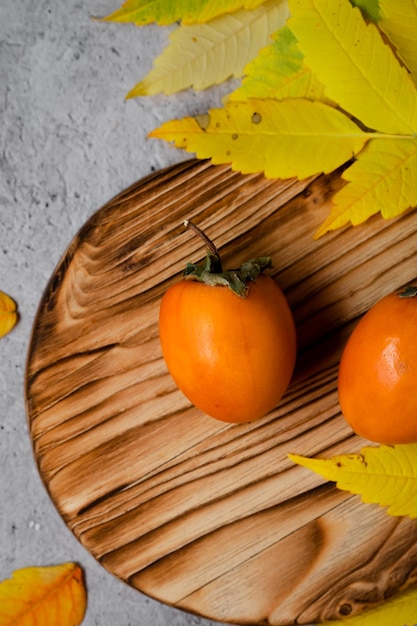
(399, 22)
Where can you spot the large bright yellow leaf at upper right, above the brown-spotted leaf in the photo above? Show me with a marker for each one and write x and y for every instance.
(360, 72)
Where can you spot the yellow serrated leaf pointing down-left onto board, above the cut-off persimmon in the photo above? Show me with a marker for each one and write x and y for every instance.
(382, 179)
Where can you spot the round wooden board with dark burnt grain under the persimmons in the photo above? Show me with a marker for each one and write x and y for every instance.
(201, 515)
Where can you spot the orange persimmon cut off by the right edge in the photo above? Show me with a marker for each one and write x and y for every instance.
(377, 380)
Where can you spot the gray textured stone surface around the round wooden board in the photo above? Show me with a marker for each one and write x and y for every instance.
(69, 142)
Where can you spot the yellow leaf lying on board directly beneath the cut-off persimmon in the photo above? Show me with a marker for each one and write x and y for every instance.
(384, 475)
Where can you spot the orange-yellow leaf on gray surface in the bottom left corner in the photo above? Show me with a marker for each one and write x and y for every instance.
(43, 596)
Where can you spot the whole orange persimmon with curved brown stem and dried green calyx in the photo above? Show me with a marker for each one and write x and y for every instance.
(228, 337)
